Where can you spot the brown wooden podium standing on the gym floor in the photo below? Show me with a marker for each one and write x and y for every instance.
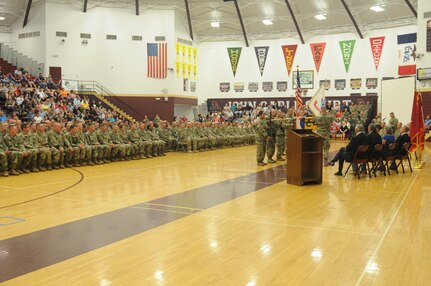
(304, 157)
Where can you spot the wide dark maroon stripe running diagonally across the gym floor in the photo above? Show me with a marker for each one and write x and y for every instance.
(63, 242)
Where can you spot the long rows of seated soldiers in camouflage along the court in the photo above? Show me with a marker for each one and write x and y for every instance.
(45, 146)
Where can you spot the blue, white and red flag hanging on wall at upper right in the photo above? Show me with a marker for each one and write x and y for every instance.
(407, 54)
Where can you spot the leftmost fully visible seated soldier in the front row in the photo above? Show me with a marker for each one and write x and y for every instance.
(17, 151)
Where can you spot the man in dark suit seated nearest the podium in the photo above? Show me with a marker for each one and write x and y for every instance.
(347, 153)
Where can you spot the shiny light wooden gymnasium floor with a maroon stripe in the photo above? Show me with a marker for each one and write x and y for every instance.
(213, 218)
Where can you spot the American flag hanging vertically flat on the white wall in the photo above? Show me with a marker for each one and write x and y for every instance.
(157, 60)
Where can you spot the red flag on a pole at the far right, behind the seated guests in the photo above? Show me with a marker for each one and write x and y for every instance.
(417, 128)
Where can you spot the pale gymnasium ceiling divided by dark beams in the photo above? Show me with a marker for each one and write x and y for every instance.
(203, 12)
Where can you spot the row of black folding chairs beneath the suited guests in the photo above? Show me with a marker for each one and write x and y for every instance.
(365, 155)
